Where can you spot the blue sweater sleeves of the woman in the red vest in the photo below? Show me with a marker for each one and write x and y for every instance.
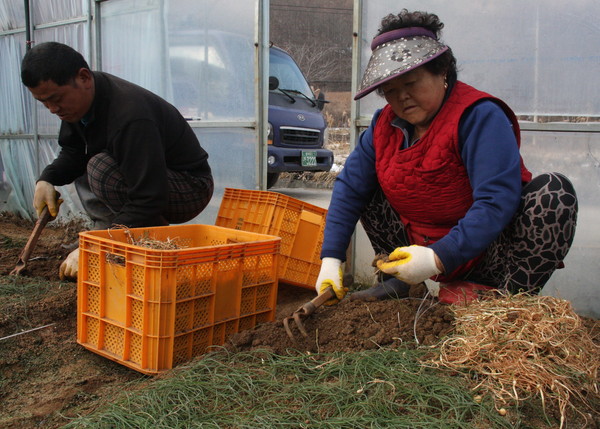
(491, 156)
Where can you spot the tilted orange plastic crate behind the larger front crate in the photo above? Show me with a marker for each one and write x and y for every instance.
(300, 226)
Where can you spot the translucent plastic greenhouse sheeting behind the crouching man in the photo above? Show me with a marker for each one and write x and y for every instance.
(196, 54)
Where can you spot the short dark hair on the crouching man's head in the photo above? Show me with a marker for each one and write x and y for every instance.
(51, 61)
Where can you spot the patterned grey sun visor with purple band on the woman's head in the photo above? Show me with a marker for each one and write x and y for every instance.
(397, 52)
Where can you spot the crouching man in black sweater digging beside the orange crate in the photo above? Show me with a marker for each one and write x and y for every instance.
(134, 159)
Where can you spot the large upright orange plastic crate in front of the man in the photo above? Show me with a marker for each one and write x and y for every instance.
(153, 309)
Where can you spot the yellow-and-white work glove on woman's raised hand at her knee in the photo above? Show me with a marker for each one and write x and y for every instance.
(412, 264)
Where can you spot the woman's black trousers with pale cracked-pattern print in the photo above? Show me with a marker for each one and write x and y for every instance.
(524, 255)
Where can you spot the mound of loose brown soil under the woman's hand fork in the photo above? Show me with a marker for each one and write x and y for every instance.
(352, 325)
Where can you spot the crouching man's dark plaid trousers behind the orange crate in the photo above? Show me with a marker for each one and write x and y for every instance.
(103, 193)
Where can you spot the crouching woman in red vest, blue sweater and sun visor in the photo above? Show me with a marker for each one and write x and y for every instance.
(438, 182)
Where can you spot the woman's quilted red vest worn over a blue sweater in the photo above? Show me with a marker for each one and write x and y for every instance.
(427, 183)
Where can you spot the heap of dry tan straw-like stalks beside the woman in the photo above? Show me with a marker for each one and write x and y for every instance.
(518, 347)
